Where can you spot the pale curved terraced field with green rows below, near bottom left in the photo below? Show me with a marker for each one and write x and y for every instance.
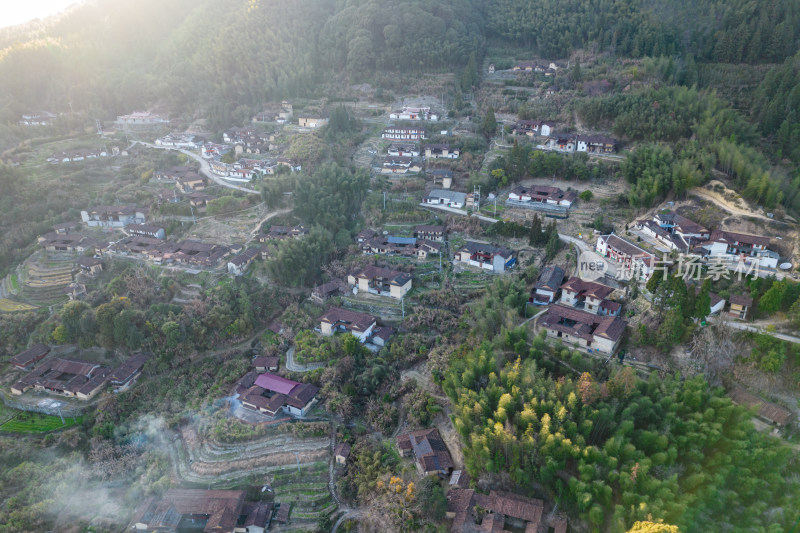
(296, 468)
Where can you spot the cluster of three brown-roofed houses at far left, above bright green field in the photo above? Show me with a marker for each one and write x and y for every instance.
(71, 378)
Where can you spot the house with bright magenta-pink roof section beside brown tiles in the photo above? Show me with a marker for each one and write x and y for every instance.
(271, 394)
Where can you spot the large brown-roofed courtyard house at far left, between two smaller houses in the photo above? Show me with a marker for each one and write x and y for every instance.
(76, 379)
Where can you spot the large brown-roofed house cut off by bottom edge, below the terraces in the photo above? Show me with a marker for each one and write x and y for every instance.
(207, 511)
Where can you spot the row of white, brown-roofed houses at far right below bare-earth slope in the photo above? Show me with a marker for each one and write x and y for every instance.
(676, 232)
